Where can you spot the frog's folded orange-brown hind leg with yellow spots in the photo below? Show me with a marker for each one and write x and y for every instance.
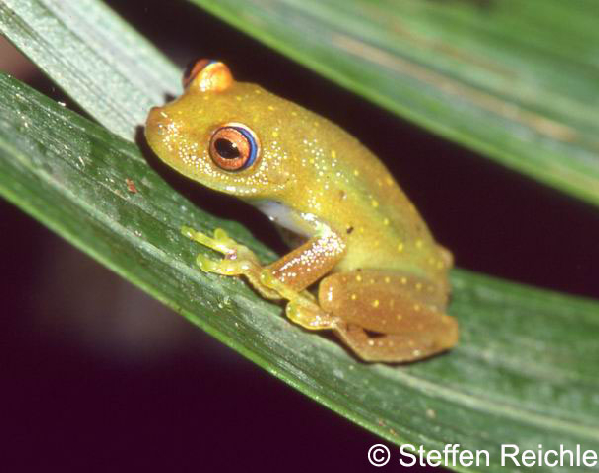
(407, 318)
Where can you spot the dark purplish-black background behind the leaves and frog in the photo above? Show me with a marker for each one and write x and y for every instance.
(94, 375)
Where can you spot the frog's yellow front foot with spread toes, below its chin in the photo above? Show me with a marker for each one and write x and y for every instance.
(238, 260)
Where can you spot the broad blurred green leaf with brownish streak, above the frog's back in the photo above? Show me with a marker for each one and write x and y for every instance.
(516, 80)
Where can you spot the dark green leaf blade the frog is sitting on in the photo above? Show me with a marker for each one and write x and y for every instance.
(525, 371)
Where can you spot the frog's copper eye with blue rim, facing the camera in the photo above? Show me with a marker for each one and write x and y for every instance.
(233, 147)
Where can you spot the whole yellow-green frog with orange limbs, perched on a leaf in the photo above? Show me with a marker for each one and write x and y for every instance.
(382, 279)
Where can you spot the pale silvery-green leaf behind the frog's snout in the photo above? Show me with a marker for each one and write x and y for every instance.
(97, 58)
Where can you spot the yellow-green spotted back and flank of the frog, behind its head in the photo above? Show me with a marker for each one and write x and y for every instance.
(348, 187)
